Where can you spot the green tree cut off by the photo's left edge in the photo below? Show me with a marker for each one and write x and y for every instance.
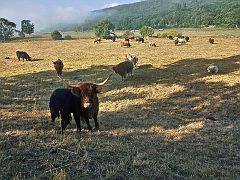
(7, 29)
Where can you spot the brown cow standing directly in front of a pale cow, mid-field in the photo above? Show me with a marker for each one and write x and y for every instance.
(123, 69)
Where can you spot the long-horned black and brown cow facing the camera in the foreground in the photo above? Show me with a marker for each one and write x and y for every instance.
(80, 99)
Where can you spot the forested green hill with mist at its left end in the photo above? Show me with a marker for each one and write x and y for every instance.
(170, 13)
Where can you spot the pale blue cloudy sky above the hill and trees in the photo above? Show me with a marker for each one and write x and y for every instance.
(45, 13)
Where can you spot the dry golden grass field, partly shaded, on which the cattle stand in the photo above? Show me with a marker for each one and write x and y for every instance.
(170, 120)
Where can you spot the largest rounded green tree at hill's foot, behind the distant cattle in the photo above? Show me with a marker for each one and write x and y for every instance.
(104, 28)
